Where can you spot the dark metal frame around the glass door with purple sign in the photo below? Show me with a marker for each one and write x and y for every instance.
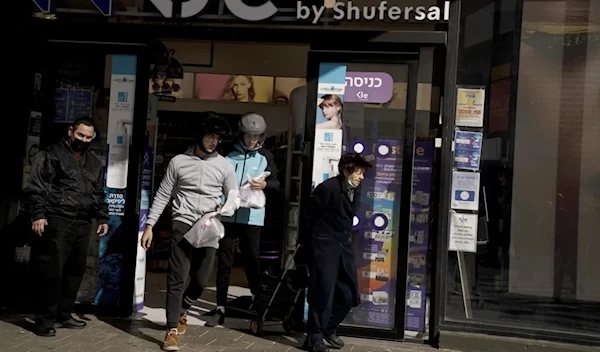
(411, 59)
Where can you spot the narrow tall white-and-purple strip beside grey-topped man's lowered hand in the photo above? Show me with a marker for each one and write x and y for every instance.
(140, 264)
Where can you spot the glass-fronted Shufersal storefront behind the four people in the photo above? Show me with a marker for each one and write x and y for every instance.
(438, 94)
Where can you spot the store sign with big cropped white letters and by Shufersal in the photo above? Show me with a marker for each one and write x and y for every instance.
(342, 11)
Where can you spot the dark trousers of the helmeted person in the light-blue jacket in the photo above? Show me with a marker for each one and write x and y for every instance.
(249, 237)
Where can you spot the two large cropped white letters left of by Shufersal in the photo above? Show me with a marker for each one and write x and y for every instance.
(192, 8)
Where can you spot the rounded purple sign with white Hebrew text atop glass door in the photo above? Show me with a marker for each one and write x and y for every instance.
(368, 87)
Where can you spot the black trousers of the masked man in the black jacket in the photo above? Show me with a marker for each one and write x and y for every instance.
(59, 261)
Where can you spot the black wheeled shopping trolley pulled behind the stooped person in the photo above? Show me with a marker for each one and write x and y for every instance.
(277, 297)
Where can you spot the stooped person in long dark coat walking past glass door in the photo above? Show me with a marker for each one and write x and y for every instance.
(333, 290)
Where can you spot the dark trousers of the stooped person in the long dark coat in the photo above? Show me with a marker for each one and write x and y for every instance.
(329, 300)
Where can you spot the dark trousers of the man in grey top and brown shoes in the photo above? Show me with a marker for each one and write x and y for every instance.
(185, 260)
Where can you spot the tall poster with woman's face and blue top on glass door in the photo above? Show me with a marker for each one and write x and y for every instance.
(329, 136)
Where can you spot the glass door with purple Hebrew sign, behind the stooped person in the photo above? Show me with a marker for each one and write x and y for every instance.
(357, 103)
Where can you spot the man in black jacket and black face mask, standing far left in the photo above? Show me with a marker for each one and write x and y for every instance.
(65, 191)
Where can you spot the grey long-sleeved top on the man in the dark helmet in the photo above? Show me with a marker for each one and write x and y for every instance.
(196, 185)
